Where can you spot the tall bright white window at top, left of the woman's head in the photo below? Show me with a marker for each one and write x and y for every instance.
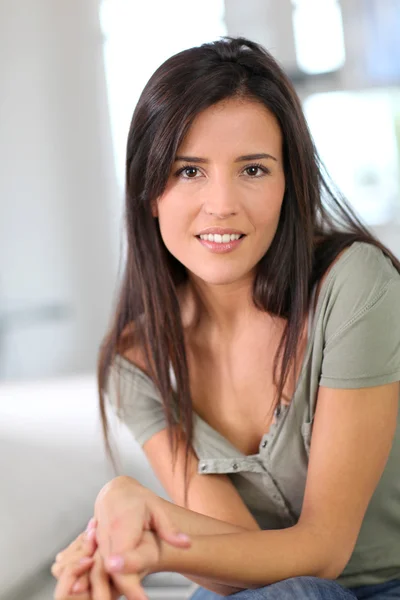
(139, 37)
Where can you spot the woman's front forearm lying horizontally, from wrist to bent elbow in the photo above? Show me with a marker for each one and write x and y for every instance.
(250, 559)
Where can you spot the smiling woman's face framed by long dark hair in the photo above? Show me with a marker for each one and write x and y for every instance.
(219, 187)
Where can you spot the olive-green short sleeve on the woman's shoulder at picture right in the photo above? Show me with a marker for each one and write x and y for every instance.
(362, 343)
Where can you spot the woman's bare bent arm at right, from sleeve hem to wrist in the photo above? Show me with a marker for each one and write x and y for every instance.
(352, 436)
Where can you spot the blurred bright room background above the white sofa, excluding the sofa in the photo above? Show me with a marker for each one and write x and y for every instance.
(71, 73)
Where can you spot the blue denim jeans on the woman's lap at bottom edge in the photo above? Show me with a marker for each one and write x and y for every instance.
(309, 588)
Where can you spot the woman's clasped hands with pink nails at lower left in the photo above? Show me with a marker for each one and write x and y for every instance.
(121, 545)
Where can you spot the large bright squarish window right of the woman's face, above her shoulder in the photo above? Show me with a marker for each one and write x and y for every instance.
(355, 134)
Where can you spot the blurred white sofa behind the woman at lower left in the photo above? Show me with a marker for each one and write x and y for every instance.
(53, 464)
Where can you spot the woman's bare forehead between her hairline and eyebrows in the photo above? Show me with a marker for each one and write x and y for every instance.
(234, 122)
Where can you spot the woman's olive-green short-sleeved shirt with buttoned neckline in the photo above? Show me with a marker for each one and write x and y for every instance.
(353, 342)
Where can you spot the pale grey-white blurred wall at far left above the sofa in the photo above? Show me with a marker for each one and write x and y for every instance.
(57, 187)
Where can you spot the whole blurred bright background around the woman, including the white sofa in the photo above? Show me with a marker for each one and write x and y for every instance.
(71, 72)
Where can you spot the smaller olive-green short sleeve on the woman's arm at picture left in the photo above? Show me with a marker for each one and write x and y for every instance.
(135, 400)
